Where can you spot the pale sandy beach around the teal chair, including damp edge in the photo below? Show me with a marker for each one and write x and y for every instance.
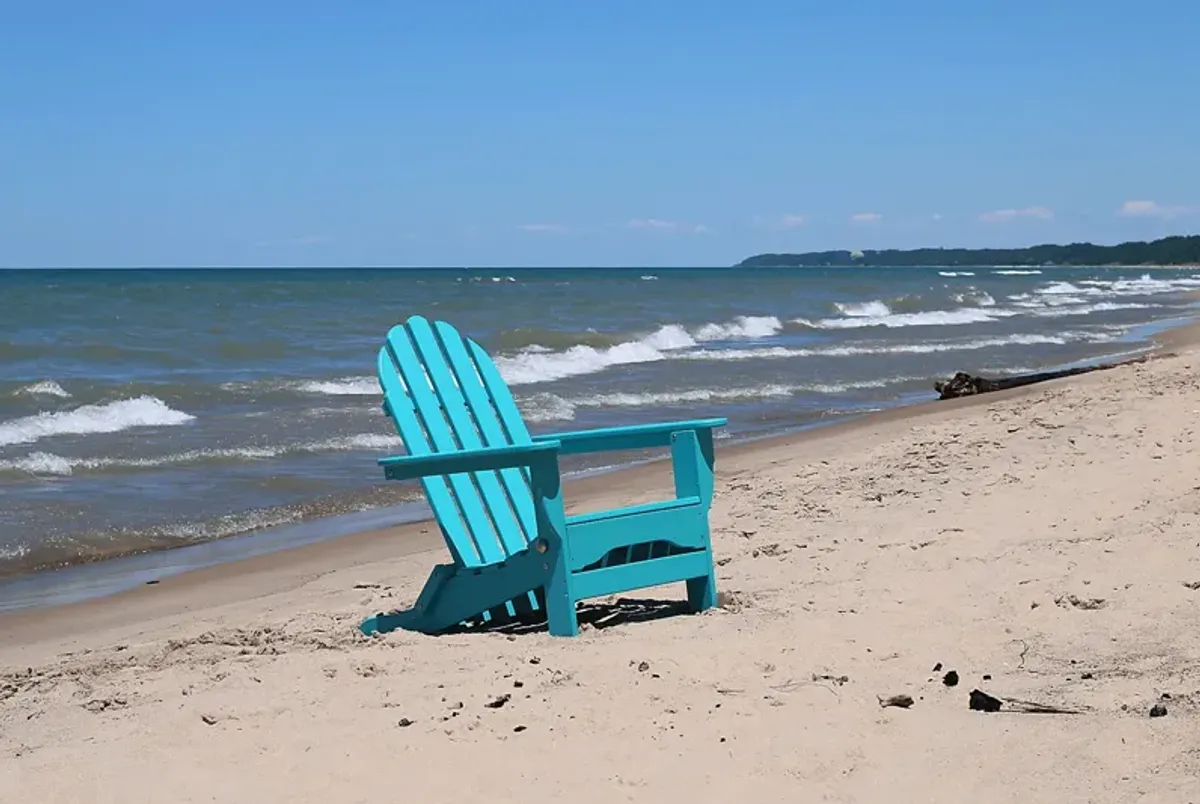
(1043, 544)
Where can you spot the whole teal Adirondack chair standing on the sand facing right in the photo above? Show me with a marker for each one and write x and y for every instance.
(497, 496)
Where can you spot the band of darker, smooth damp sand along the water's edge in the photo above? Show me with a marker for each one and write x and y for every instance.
(289, 568)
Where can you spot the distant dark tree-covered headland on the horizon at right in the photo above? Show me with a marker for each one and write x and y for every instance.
(1168, 251)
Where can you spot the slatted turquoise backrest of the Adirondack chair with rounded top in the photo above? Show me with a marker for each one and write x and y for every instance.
(446, 395)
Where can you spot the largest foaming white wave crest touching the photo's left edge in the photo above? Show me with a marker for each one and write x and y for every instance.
(110, 418)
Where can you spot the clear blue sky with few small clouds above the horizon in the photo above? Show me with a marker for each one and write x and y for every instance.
(539, 133)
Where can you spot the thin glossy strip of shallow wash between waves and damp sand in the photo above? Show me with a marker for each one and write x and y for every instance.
(77, 585)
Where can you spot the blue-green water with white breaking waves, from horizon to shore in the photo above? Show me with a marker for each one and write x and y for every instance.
(159, 409)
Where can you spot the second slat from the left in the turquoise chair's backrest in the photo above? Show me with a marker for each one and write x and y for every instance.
(429, 410)
